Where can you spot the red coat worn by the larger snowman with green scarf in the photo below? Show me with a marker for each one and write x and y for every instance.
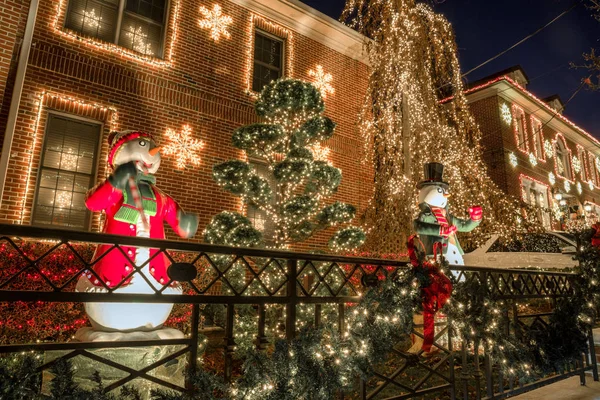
(114, 266)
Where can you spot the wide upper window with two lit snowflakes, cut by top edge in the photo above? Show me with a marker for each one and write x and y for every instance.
(138, 25)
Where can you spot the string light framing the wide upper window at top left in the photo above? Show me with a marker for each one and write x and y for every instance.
(146, 58)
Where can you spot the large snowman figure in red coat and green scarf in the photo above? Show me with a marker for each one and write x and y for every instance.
(135, 207)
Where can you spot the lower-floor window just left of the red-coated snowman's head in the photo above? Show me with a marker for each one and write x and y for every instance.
(66, 173)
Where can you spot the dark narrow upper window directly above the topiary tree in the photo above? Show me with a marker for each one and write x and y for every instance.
(268, 60)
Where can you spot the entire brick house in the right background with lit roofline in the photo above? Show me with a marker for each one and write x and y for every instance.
(533, 151)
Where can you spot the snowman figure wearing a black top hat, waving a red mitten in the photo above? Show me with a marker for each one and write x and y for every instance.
(435, 225)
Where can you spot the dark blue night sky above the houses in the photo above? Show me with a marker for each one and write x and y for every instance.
(484, 28)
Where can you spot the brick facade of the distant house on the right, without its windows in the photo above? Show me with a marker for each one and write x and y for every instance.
(501, 141)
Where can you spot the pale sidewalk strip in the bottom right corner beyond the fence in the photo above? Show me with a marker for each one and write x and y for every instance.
(568, 389)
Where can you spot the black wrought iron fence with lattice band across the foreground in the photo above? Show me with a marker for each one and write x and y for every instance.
(240, 276)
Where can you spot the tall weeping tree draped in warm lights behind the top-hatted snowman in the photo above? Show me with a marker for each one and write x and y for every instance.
(414, 65)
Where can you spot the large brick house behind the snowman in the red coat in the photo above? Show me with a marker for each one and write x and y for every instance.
(101, 65)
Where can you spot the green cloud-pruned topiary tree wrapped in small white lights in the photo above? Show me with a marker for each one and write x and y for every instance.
(294, 199)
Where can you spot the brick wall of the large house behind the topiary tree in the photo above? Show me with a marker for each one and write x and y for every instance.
(200, 82)
